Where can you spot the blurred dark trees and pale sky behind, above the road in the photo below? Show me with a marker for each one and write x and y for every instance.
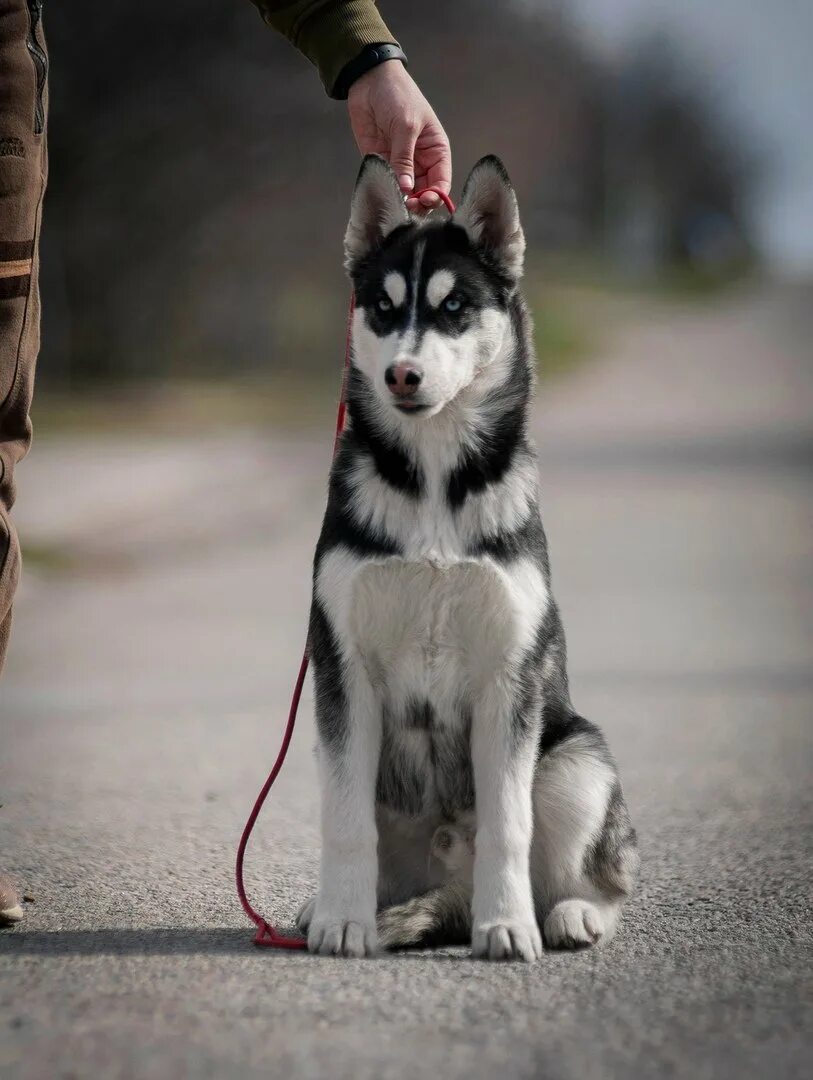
(200, 177)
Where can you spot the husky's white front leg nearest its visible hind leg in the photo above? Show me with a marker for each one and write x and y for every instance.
(504, 921)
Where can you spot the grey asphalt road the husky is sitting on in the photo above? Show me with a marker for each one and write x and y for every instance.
(148, 685)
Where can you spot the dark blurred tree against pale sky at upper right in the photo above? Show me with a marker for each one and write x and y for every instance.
(677, 173)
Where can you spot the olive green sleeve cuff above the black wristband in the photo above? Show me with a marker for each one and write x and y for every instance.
(330, 33)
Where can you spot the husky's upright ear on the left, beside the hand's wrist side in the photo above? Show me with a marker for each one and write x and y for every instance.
(377, 209)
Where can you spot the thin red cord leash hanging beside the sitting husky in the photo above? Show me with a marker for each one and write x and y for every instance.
(266, 934)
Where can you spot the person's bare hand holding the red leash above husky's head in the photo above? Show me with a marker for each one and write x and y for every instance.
(391, 117)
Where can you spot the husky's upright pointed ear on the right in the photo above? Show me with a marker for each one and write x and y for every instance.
(489, 212)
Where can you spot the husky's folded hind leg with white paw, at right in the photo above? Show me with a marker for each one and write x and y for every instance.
(585, 858)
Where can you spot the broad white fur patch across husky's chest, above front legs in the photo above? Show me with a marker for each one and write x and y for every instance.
(431, 630)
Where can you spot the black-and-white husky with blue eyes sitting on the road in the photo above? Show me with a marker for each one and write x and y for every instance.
(463, 796)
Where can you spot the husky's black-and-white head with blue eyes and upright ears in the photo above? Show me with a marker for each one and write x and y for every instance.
(431, 298)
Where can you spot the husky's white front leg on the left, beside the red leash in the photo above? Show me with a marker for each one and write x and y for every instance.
(344, 922)
